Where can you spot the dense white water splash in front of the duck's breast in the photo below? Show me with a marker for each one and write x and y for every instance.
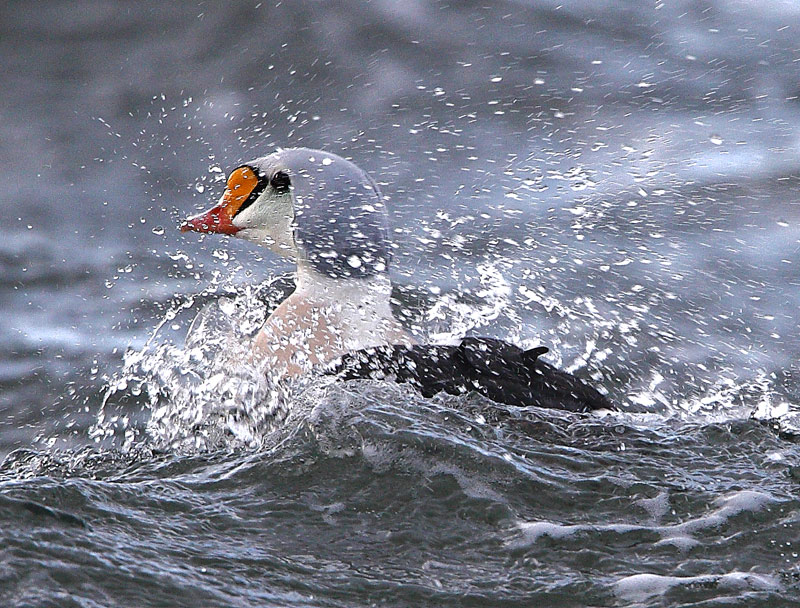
(205, 392)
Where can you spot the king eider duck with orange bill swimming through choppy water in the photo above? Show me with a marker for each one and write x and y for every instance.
(329, 216)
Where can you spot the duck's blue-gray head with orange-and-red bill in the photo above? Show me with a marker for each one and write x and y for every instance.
(309, 205)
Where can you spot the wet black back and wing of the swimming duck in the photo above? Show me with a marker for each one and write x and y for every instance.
(498, 370)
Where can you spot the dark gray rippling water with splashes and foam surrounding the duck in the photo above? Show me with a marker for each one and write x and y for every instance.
(615, 180)
